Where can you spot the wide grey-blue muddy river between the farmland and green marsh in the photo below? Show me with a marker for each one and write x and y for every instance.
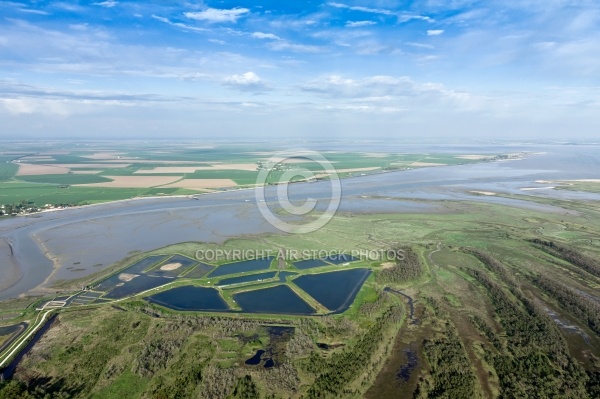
(39, 249)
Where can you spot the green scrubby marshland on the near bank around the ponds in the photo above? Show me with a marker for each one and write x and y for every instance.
(484, 301)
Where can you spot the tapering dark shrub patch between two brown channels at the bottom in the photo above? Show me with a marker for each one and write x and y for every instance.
(450, 374)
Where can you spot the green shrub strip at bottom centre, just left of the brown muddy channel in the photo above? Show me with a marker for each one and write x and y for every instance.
(335, 374)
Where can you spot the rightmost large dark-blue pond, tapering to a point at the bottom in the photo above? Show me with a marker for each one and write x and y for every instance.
(334, 290)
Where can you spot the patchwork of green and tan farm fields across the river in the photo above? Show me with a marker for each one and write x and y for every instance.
(74, 174)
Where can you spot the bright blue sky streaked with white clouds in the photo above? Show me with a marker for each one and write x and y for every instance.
(300, 69)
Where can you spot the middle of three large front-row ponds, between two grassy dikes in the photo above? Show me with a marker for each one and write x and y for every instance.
(280, 299)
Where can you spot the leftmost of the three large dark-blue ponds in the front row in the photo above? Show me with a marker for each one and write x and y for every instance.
(190, 298)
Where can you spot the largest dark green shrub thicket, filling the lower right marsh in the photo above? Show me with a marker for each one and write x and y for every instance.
(534, 360)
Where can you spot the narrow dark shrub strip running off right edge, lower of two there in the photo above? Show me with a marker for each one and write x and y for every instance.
(571, 301)
